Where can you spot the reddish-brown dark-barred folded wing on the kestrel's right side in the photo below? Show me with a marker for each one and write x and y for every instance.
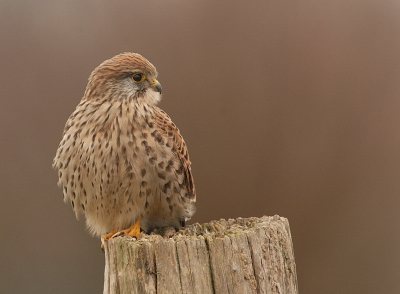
(168, 128)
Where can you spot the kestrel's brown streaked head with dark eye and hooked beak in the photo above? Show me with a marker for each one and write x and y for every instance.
(125, 76)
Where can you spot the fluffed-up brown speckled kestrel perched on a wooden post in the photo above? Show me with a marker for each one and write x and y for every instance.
(122, 162)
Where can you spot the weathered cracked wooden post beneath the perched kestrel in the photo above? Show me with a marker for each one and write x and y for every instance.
(252, 255)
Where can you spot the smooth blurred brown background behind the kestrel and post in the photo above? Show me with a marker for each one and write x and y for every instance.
(288, 107)
